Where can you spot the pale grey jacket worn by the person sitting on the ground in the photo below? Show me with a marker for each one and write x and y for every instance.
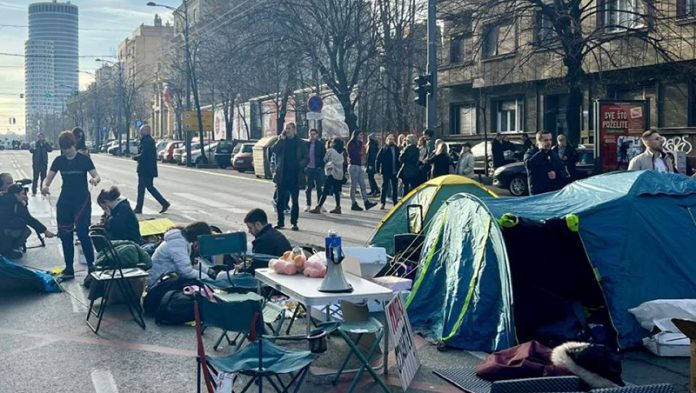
(173, 255)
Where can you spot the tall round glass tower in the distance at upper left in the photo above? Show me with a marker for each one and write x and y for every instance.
(51, 66)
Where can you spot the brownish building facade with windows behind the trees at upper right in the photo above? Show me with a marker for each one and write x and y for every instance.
(494, 77)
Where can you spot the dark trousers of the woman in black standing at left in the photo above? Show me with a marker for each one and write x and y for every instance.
(74, 215)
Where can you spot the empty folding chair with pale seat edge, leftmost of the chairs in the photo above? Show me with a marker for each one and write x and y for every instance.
(115, 274)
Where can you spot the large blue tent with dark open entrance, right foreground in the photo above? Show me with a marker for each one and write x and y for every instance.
(493, 272)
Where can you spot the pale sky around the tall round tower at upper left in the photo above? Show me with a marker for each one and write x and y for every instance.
(103, 25)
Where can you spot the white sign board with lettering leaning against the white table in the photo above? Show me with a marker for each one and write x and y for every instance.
(407, 362)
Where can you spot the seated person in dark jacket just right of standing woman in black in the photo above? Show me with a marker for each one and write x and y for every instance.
(120, 220)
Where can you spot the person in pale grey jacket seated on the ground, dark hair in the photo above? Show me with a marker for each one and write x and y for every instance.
(174, 254)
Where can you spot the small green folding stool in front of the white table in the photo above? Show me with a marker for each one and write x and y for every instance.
(369, 326)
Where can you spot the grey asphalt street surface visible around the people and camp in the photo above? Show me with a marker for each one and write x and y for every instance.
(45, 345)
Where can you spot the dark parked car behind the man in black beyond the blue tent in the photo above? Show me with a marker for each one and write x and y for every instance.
(513, 177)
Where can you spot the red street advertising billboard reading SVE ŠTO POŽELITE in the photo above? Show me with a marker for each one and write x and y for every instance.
(618, 127)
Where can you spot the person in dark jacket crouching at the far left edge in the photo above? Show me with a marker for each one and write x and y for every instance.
(14, 219)
